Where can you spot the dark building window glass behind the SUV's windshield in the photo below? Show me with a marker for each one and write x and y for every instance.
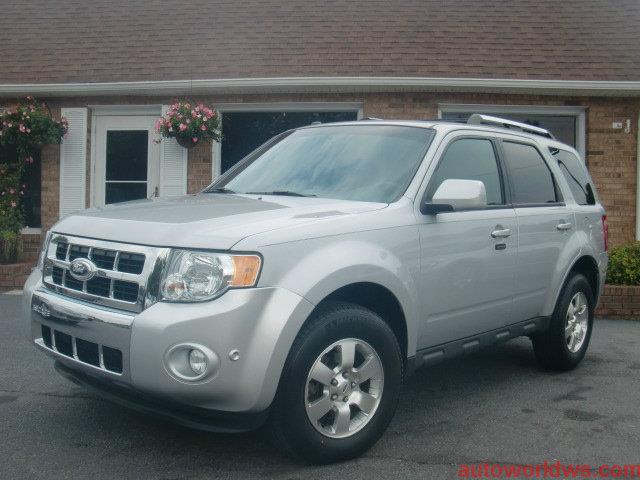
(243, 132)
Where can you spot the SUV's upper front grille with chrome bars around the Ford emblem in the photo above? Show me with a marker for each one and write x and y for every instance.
(121, 277)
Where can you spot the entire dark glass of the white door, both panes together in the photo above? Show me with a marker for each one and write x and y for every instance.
(126, 165)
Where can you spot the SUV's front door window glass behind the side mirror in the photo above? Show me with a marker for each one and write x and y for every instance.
(470, 159)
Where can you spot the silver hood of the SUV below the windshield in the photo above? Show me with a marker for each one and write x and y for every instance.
(207, 220)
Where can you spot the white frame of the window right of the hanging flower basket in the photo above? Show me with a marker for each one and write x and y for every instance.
(216, 148)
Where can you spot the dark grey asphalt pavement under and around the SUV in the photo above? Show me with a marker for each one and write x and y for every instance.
(495, 406)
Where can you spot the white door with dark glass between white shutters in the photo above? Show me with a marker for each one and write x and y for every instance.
(127, 159)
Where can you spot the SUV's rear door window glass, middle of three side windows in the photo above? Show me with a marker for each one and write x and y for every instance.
(531, 179)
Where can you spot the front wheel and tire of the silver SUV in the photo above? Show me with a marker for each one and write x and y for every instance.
(297, 421)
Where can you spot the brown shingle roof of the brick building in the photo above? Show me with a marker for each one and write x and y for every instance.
(56, 41)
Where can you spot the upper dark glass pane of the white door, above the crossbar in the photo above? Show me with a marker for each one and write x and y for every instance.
(127, 155)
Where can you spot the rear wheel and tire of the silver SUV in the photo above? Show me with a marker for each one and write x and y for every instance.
(553, 348)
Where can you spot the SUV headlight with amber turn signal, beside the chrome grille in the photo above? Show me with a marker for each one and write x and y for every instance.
(194, 276)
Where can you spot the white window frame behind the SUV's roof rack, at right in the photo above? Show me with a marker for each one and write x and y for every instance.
(578, 112)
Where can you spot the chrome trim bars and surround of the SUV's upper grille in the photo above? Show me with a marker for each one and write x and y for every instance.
(146, 292)
